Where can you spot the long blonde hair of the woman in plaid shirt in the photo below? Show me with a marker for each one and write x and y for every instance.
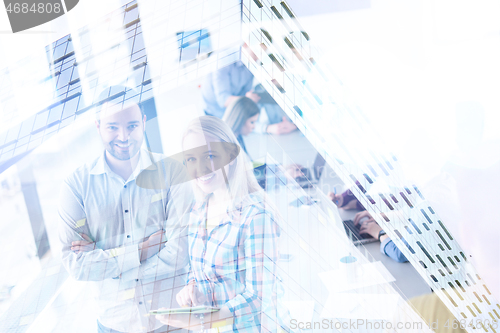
(240, 178)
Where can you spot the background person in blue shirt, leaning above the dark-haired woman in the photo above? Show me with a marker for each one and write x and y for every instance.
(224, 86)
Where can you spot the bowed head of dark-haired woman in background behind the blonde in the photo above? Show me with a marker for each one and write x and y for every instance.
(241, 116)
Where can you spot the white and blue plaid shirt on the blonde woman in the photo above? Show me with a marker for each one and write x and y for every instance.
(235, 265)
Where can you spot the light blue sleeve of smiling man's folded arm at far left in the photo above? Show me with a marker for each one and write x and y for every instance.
(93, 265)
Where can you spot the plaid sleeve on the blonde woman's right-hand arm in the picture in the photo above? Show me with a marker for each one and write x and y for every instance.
(260, 241)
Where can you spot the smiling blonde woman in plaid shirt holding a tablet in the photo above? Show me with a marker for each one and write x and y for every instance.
(233, 237)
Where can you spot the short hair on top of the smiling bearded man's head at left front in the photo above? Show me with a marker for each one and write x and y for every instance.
(117, 94)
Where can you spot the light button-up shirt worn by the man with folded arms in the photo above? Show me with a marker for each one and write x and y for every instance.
(118, 215)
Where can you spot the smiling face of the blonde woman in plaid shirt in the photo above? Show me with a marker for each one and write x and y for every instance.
(205, 160)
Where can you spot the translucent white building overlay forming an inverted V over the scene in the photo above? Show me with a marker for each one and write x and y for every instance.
(157, 46)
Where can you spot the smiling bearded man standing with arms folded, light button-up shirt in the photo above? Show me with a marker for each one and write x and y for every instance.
(121, 236)
